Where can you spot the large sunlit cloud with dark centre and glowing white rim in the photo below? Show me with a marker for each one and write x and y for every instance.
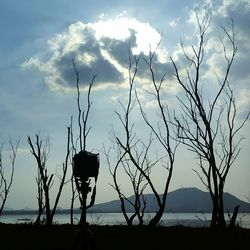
(99, 48)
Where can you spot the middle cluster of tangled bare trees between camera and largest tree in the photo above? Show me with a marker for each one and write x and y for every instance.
(133, 153)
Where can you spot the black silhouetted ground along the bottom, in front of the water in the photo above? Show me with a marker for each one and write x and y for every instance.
(27, 236)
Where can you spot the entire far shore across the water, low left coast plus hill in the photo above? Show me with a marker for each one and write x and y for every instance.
(183, 200)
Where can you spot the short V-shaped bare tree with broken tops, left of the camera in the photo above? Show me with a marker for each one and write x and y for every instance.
(45, 180)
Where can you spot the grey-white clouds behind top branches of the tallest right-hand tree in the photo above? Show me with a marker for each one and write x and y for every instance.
(214, 63)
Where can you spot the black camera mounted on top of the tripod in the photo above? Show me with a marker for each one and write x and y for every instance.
(86, 165)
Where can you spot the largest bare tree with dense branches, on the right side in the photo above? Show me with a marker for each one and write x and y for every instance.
(209, 128)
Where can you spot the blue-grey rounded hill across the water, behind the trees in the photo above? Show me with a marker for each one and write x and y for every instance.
(184, 200)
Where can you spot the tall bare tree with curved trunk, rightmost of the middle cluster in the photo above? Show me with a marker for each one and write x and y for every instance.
(162, 131)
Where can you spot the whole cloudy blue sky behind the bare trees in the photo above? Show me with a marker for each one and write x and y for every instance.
(39, 40)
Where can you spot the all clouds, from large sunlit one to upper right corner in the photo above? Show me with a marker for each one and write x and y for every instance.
(102, 48)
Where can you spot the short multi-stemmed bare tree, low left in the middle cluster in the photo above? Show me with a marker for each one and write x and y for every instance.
(138, 202)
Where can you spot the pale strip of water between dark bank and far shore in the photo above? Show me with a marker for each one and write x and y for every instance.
(168, 219)
